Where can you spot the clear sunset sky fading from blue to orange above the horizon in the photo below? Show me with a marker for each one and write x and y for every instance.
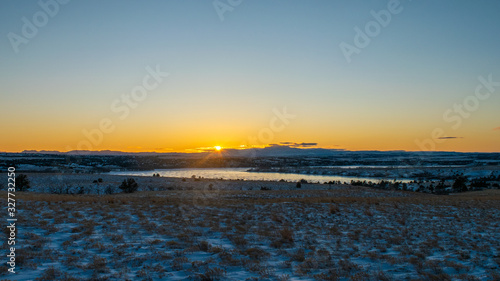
(184, 76)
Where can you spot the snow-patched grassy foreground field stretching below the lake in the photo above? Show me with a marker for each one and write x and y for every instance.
(211, 230)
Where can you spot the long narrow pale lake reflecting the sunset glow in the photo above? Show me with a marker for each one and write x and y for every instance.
(242, 174)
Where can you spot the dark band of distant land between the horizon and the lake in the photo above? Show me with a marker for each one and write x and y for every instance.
(104, 163)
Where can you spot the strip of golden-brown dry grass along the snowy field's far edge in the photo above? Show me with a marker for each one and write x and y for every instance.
(488, 198)
